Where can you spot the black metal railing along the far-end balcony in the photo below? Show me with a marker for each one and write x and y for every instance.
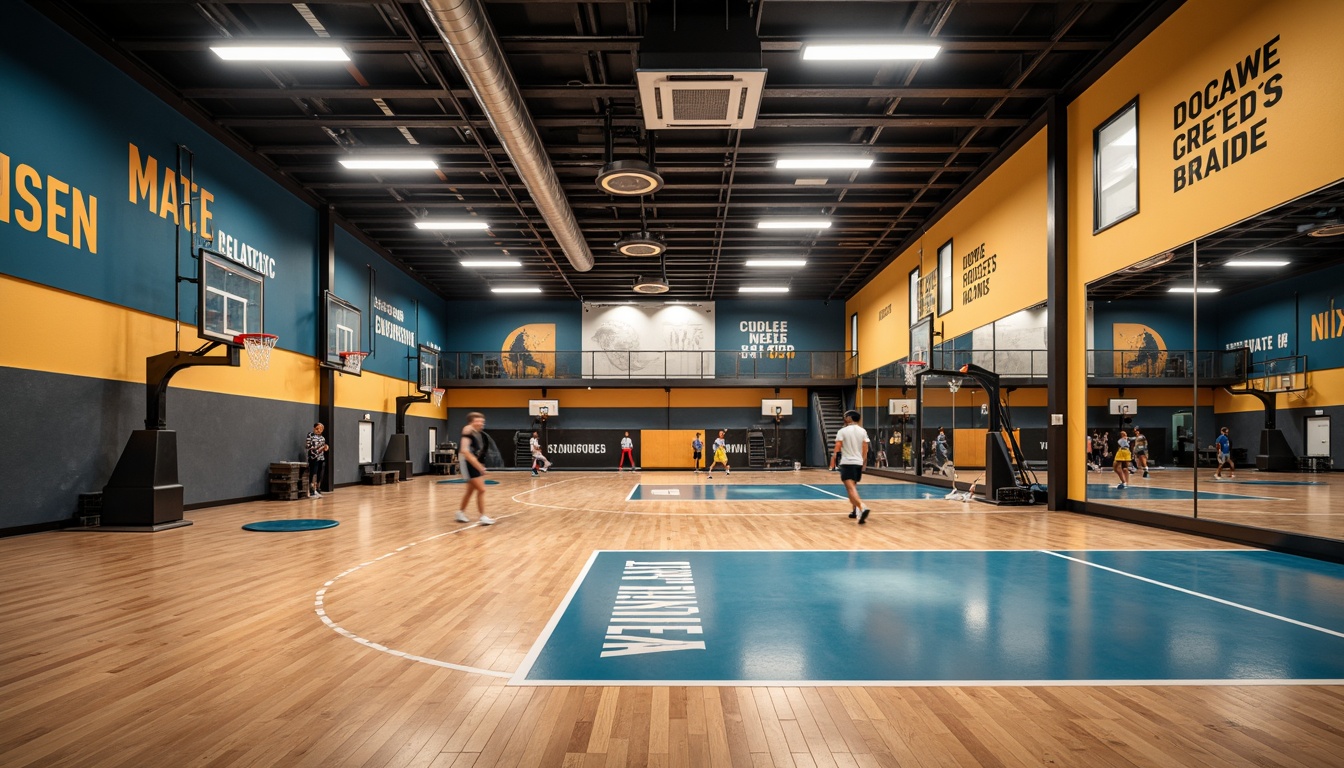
(647, 365)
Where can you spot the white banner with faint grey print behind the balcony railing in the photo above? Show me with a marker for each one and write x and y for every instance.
(650, 342)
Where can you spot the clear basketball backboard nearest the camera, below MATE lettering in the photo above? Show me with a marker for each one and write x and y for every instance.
(230, 299)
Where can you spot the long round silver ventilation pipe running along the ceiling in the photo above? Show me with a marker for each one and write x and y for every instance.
(467, 32)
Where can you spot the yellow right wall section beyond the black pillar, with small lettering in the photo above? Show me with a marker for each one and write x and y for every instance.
(1007, 216)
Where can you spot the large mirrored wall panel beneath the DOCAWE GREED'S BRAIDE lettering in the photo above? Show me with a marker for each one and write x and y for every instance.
(1226, 350)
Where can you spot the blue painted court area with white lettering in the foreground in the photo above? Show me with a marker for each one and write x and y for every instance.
(946, 618)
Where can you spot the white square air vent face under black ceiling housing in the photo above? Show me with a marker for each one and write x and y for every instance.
(691, 99)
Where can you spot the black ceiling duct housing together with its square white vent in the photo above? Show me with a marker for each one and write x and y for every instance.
(701, 67)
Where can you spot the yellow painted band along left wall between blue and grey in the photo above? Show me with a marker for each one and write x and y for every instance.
(68, 334)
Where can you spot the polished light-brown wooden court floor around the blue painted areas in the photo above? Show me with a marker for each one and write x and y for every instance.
(206, 646)
